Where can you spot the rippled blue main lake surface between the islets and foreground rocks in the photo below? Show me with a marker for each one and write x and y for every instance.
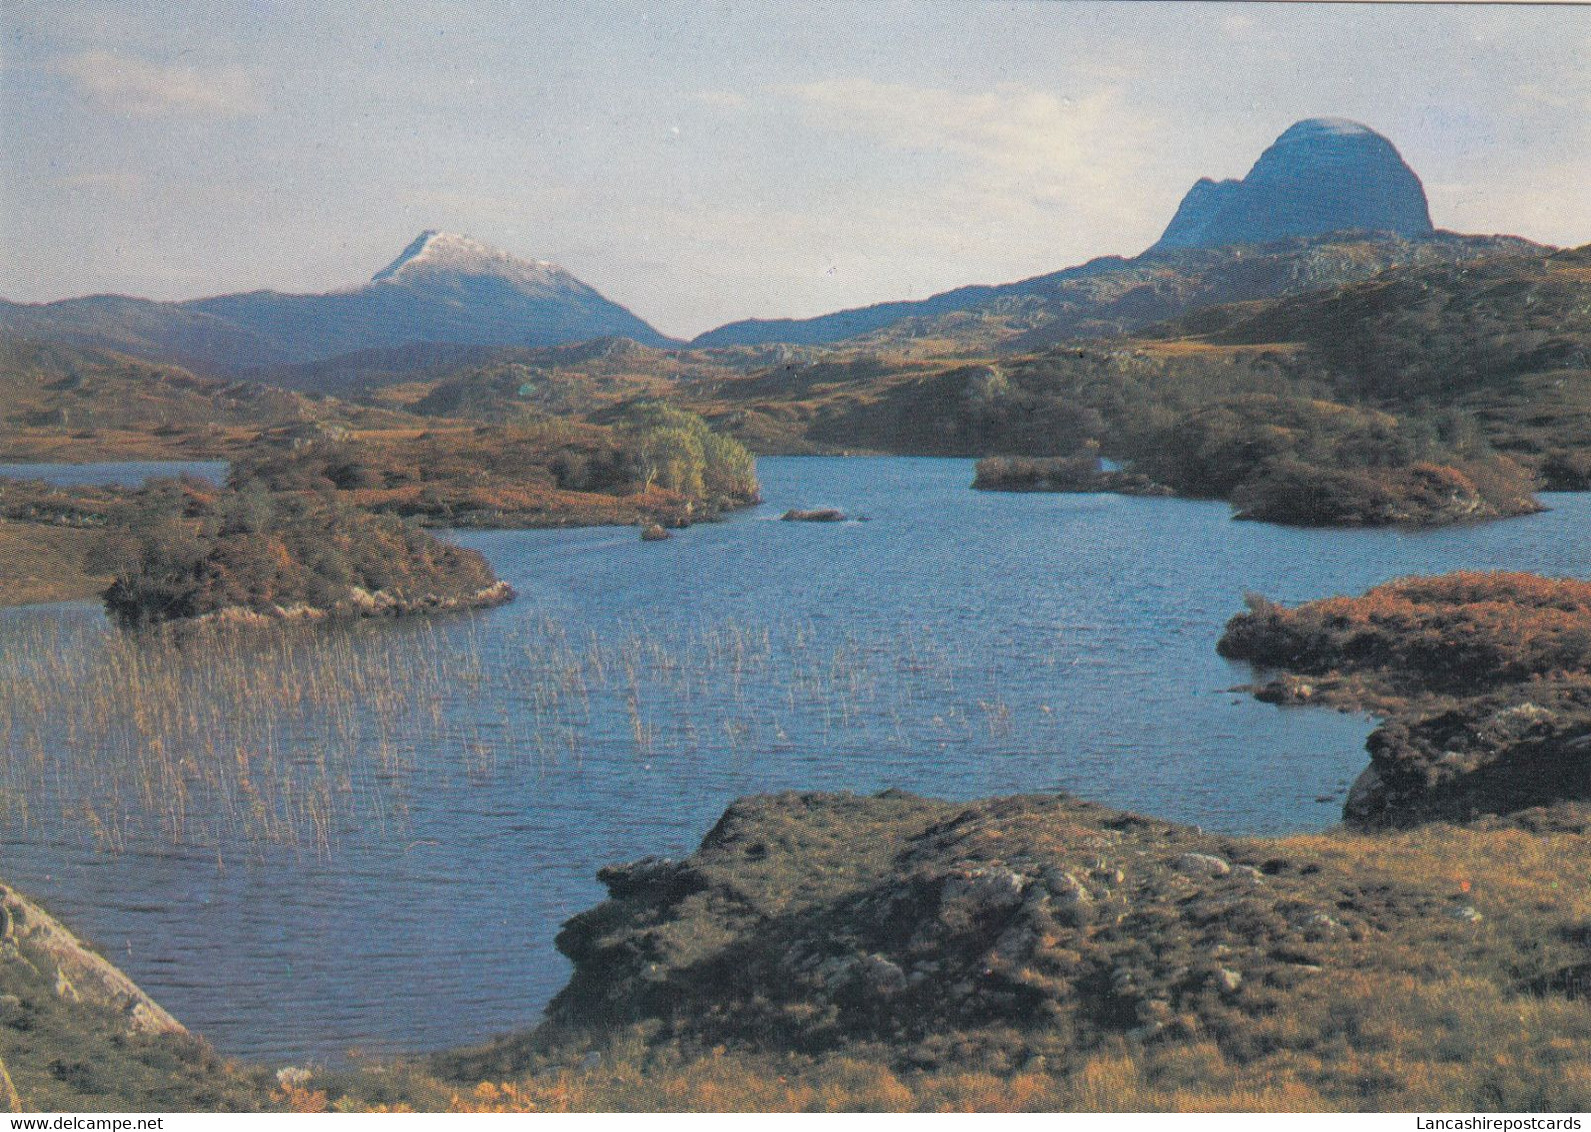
(464, 796)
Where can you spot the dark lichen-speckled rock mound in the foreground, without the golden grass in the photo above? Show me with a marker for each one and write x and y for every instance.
(817, 921)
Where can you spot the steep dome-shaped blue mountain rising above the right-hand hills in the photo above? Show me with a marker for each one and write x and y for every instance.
(1321, 176)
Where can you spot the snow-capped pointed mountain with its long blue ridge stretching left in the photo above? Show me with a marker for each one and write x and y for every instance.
(445, 289)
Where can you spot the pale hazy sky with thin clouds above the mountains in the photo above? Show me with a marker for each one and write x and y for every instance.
(712, 161)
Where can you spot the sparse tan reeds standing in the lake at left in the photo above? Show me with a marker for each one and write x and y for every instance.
(301, 737)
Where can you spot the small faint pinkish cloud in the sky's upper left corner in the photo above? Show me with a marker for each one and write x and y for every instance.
(136, 87)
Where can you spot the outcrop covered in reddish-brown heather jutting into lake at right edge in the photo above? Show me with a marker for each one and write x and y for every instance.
(1484, 681)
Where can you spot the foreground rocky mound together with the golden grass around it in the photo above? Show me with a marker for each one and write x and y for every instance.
(833, 952)
